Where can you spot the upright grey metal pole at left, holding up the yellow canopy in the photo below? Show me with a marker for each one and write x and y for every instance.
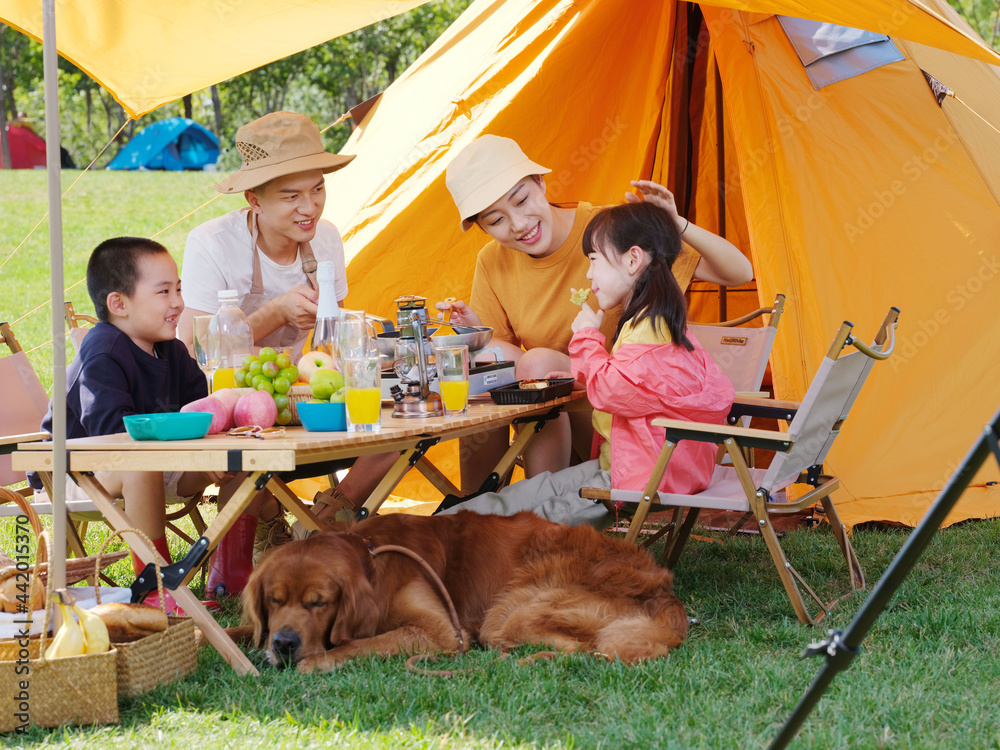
(53, 163)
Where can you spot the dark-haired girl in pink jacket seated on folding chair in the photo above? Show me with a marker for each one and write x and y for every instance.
(655, 369)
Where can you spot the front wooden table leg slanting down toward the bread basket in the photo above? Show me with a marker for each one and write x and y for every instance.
(182, 594)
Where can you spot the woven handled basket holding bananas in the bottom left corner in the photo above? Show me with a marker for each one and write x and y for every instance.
(44, 692)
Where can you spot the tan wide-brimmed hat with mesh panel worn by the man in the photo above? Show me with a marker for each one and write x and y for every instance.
(275, 145)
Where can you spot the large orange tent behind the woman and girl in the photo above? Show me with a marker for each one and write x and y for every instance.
(822, 152)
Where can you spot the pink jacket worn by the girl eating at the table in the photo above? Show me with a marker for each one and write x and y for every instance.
(640, 382)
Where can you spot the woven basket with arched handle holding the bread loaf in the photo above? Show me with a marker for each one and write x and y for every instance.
(157, 659)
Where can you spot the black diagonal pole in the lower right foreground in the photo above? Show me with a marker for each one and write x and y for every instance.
(840, 647)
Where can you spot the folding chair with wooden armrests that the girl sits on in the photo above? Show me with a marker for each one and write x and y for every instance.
(800, 452)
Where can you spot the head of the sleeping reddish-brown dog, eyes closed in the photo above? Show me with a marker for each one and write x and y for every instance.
(308, 596)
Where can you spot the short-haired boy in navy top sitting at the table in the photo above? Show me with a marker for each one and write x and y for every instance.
(131, 363)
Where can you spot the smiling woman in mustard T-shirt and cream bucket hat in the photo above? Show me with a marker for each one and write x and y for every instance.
(522, 275)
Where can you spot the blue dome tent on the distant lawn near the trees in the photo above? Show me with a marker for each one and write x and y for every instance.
(175, 144)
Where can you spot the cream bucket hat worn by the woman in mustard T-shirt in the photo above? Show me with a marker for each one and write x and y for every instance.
(484, 171)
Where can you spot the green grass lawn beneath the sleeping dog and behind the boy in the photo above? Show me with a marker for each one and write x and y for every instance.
(928, 677)
